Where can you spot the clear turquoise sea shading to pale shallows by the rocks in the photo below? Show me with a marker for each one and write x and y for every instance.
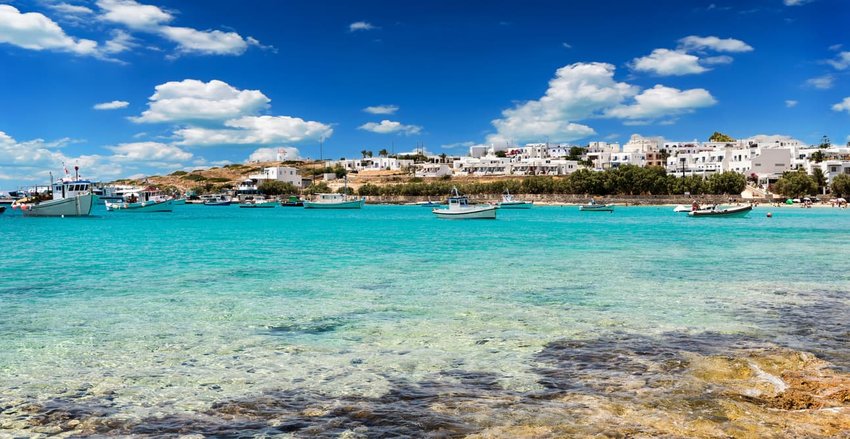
(388, 322)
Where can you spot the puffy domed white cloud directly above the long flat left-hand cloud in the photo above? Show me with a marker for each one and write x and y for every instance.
(194, 100)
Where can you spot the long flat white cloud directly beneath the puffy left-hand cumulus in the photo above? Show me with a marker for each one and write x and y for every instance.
(253, 130)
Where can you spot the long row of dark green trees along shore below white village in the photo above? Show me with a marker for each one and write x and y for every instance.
(625, 180)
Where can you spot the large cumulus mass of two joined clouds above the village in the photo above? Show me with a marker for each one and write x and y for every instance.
(584, 91)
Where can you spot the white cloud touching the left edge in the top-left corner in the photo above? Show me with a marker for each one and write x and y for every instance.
(35, 31)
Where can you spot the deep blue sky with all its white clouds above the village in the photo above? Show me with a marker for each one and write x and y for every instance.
(193, 84)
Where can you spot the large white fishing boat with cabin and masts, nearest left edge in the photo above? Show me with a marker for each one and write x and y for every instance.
(70, 197)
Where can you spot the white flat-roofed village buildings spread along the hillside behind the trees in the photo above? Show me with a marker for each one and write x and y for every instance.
(762, 159)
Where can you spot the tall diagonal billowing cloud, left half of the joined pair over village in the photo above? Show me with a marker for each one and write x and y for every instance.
(578, 91)
